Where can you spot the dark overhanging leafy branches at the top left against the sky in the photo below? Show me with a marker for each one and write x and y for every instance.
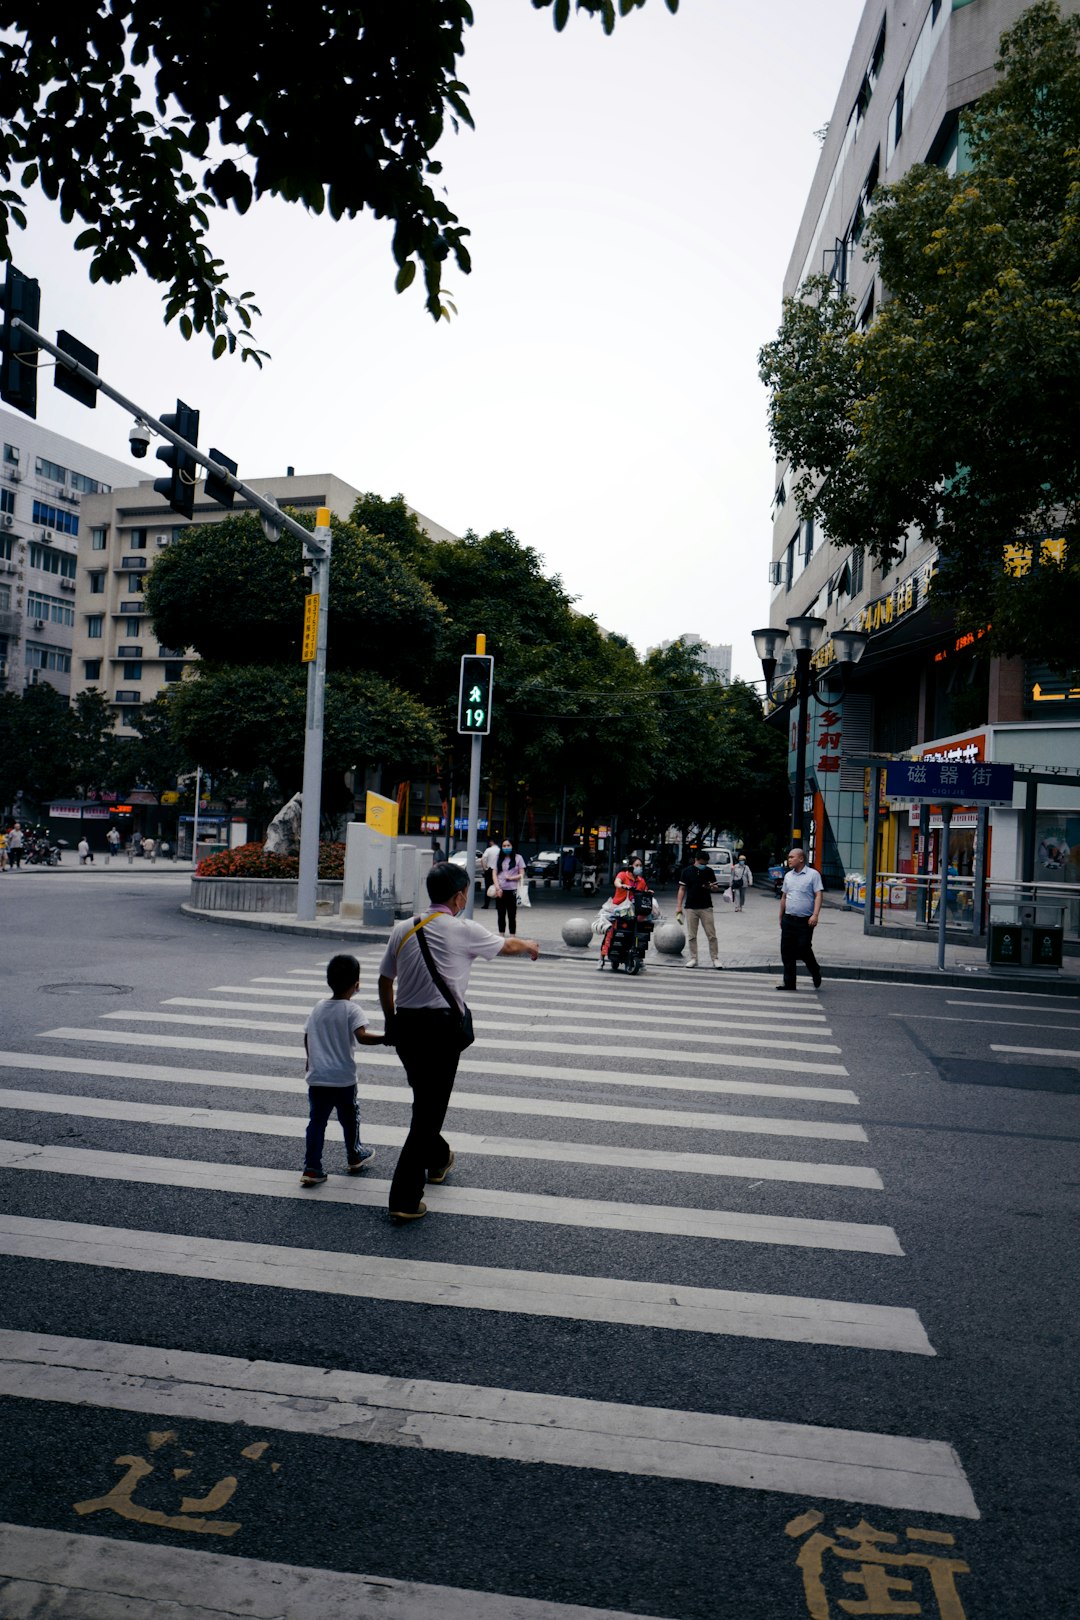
(142, 117)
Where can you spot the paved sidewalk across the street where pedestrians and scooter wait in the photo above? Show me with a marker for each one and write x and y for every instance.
(749, 942)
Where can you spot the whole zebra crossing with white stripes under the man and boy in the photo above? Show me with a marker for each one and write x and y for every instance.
(658, 1310)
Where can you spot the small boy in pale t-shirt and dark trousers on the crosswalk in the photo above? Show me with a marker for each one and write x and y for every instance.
(331, 1070)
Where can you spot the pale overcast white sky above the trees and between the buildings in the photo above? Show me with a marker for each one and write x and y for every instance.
(632, 202)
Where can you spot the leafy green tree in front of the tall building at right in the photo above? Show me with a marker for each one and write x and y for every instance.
(955, 411)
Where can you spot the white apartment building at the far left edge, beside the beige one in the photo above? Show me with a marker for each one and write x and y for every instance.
(45, 484)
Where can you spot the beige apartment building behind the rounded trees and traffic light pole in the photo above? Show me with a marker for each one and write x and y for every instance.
(125, 531)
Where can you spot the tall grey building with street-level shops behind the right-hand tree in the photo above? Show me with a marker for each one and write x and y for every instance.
(914, 67)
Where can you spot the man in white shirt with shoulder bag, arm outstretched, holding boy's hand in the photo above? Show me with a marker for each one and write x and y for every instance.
(427, 1030)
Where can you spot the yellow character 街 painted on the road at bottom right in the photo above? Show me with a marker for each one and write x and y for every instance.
(872, 1575)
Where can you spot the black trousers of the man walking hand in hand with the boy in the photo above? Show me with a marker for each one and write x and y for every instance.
(427, 1042)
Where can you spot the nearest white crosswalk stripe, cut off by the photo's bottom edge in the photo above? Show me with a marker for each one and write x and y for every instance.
(96, 1579)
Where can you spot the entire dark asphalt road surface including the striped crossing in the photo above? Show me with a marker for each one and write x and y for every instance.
(736, 1307)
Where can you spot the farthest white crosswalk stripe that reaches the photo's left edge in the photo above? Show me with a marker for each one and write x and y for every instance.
(480, 1102)
